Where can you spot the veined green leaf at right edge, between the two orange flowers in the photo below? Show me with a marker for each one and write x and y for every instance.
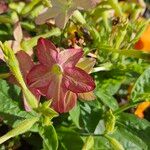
(141, 88)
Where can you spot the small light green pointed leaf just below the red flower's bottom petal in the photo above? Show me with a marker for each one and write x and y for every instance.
(75, 115)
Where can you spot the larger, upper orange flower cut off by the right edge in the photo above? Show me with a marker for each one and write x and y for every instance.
(144, 41)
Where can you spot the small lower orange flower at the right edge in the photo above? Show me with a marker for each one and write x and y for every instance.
(141, 108)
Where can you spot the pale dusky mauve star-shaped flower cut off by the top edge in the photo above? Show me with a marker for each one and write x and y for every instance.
(62, 10)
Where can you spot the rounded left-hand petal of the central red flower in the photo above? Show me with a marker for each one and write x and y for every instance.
(39, 76)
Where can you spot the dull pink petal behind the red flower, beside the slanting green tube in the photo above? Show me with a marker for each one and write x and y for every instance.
(25, 63)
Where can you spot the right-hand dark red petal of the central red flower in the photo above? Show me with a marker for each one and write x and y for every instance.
(77, 80)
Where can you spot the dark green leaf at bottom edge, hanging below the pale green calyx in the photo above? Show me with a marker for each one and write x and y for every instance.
(49, 136)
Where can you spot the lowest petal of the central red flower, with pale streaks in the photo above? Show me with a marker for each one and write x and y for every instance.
(62, 99)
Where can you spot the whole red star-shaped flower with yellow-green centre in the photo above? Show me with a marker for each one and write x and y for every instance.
(57, 77)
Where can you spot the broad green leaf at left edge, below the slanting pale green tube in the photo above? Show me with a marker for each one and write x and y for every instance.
(10, 108)
